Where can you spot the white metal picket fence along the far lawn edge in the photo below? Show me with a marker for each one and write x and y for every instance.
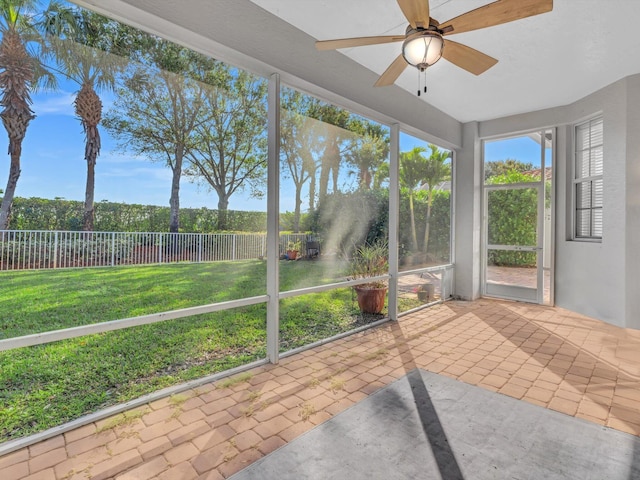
(37, 249)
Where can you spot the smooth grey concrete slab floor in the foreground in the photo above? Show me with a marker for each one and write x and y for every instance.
(426, 425)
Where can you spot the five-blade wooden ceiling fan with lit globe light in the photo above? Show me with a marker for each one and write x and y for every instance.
(423, 42)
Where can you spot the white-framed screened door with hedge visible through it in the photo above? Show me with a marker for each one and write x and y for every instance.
(517, 218)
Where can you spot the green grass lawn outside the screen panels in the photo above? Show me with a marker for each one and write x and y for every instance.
(47, 385)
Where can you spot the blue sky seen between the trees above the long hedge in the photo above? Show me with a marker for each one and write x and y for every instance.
(53, 164)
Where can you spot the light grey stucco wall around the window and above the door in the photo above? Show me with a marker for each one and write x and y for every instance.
(599, 279)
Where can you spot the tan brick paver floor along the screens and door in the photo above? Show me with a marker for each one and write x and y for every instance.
(544, 355)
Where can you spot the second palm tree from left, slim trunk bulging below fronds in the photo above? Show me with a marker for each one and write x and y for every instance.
(81, 41)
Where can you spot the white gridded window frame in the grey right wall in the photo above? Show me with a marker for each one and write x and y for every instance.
(577, 180)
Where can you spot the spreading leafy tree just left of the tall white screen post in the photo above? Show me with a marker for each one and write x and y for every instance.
(229, 152)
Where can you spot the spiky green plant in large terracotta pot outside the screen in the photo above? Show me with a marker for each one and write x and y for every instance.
(370, 260)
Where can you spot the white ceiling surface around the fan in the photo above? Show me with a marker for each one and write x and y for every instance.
(548, 60)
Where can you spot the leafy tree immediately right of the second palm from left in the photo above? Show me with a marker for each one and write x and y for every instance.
(159, 105)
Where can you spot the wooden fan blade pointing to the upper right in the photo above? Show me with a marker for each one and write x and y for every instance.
(495, 13)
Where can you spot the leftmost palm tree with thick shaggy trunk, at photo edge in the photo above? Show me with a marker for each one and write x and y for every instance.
(18, 75)
